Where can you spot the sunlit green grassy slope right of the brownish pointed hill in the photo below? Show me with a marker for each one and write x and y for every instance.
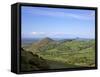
(79, 53)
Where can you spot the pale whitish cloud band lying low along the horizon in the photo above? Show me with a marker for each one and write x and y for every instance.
(57, 35)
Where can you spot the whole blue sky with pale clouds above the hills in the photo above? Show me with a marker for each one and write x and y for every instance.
(40, 22)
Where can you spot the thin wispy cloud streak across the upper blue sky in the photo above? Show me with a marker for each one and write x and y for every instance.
(57, 13)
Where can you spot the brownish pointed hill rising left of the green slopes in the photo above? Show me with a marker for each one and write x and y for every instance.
(42, 45)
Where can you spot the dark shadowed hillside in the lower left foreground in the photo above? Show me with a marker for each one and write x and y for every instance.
(30, 61)
